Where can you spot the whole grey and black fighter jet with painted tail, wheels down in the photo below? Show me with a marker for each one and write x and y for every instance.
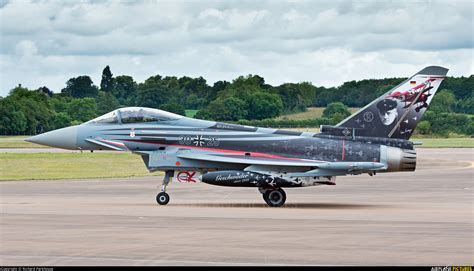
(192, 150)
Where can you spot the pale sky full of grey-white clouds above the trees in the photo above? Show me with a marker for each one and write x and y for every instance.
(44, 43)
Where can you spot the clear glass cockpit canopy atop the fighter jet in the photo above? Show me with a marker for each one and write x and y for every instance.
(135, 115)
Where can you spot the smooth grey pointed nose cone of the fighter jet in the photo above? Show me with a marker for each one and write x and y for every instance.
(65, 138)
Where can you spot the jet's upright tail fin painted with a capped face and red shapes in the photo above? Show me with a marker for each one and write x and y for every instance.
(396, 113)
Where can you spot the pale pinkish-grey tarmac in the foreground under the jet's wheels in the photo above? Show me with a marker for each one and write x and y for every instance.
(420, 218)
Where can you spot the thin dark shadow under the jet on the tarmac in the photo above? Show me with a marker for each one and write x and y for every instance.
(286, 206)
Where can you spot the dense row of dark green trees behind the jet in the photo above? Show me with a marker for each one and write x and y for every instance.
(247, 100)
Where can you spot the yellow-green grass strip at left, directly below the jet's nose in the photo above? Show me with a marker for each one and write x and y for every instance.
(50, 166)
